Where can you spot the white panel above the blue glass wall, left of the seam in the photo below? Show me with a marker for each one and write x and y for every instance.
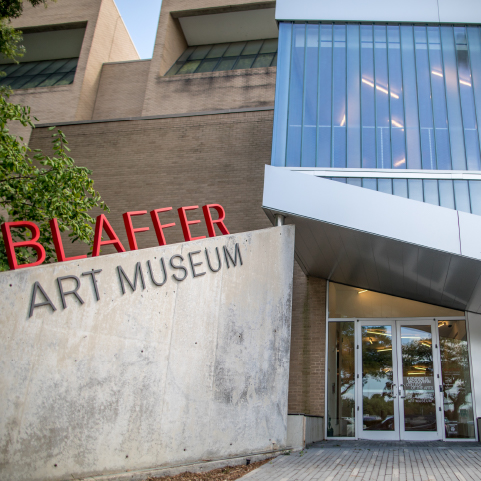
(354, 10)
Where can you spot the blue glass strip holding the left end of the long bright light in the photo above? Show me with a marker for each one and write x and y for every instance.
(367, 98)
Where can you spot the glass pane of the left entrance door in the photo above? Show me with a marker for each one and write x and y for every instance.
(377, 378)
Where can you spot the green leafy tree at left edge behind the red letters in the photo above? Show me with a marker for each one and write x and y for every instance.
(34, 186)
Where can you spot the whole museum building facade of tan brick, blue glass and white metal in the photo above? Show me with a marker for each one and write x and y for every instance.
(366, 118)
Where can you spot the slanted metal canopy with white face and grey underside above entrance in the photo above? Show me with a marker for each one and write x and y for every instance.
(378, 241)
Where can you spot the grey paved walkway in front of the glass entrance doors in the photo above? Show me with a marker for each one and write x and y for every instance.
(376, 461)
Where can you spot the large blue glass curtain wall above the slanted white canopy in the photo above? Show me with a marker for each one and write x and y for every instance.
(378, 96)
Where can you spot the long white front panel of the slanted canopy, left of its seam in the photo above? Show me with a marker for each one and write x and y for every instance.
(361, 209)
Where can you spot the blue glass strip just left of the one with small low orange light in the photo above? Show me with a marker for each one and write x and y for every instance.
(325, 98)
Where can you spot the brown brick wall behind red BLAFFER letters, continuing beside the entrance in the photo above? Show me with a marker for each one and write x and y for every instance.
(148, 164)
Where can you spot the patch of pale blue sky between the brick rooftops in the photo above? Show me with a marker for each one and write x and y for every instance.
(141, 18)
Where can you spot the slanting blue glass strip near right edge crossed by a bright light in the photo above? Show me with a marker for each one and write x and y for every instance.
(467, 99)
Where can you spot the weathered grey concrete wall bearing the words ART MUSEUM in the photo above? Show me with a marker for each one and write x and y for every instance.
(189, 371)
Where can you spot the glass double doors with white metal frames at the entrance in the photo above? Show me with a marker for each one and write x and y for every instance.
(397, 369)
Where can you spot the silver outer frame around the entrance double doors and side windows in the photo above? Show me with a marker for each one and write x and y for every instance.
(414, 320)
